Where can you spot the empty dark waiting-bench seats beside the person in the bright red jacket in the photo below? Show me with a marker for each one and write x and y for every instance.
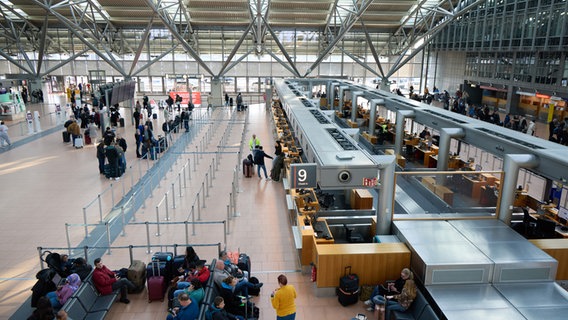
(87, 304)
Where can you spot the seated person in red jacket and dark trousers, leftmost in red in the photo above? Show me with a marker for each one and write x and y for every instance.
(107, 281)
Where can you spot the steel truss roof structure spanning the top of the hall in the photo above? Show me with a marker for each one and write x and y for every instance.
(365, 30)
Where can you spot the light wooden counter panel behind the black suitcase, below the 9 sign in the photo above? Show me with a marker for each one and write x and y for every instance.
(372, 262)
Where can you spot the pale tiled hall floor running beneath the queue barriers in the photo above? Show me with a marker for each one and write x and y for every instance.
(46, 183)
